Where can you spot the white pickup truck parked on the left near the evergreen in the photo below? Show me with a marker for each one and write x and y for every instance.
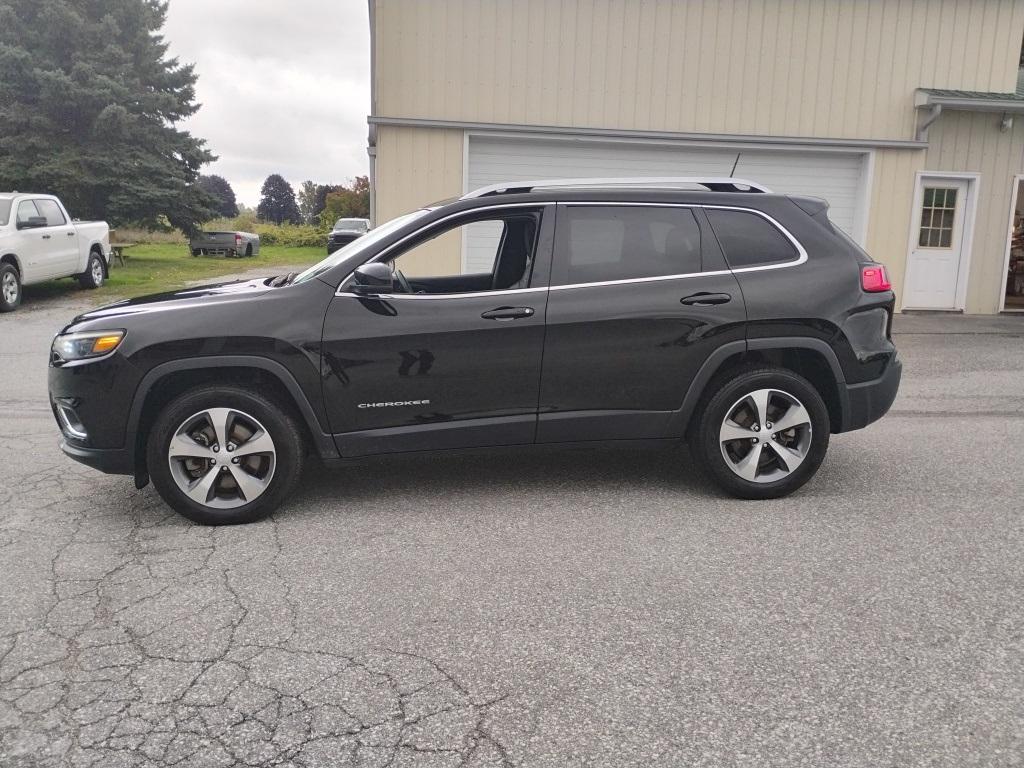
(39, 242)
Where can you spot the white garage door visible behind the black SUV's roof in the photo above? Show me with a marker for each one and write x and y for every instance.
(836, 177)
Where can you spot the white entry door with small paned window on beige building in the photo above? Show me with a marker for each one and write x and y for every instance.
(933, 272)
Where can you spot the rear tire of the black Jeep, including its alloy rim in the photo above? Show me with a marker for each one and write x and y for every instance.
(728, 436)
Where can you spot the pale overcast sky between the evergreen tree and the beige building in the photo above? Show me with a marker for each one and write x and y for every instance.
(285, 88)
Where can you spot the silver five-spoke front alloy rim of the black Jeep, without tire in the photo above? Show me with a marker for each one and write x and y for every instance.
(222, 458)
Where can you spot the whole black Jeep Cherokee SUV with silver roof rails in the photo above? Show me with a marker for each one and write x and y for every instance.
(526, 314)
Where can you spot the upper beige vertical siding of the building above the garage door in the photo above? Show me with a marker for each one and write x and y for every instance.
(807, 68)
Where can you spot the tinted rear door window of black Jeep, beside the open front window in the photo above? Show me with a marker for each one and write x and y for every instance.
(599, 244)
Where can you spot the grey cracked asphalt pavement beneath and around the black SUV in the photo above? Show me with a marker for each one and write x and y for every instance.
(581, 609)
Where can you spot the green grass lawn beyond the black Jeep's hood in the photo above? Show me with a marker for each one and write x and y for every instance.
(152, 269)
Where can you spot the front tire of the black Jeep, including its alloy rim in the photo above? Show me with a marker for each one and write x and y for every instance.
(221, 490)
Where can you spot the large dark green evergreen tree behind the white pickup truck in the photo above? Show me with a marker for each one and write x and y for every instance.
(90, 102)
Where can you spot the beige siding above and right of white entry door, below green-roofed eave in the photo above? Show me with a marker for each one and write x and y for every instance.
(972, 143)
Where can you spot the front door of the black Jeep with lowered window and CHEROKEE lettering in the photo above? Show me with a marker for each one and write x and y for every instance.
(450, 356)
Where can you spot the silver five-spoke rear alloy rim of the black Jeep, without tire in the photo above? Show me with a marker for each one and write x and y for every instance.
(765, 436)
